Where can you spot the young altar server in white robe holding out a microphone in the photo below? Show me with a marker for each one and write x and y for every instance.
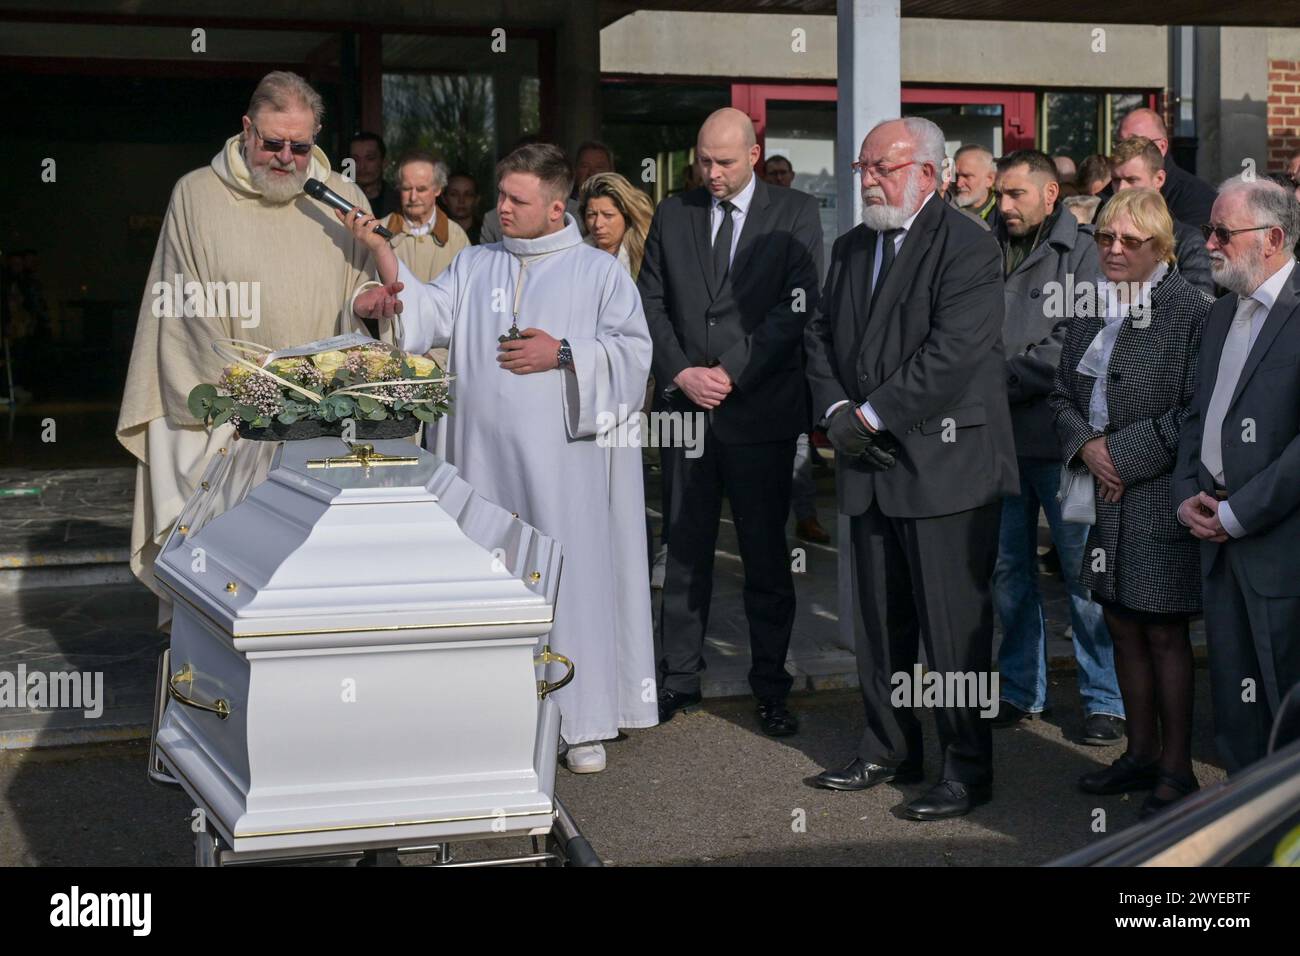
(530, 412)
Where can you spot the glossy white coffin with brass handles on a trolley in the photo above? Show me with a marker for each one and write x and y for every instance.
(372, 634)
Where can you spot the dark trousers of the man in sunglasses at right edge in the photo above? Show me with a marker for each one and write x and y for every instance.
(1251, 637)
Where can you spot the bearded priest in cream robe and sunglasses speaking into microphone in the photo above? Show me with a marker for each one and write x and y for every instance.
(244, 227)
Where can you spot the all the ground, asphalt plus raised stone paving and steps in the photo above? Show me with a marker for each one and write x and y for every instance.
(707, 789)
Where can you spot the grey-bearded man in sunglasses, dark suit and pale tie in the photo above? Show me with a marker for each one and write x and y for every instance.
(1237, 485)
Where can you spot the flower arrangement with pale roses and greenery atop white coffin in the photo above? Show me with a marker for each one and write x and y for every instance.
(301, 393)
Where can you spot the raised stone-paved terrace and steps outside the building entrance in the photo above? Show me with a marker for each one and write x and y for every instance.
(72, 540)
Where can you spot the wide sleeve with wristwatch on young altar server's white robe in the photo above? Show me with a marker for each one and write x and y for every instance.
(610, 370)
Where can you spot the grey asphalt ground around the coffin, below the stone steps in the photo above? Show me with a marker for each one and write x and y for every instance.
(705, 789)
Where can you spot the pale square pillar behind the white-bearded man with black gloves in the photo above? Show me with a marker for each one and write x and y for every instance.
(869, 89)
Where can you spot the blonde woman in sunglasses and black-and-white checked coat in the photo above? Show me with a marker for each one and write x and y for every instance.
(1123, 390)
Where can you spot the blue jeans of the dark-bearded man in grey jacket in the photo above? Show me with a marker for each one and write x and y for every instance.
(1022, 659)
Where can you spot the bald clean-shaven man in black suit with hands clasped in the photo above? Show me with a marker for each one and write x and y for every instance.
(729, 282)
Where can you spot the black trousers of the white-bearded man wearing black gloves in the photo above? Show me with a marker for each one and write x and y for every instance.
(926, 582)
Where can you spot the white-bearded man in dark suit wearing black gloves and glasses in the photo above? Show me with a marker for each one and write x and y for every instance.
(905, 358)
